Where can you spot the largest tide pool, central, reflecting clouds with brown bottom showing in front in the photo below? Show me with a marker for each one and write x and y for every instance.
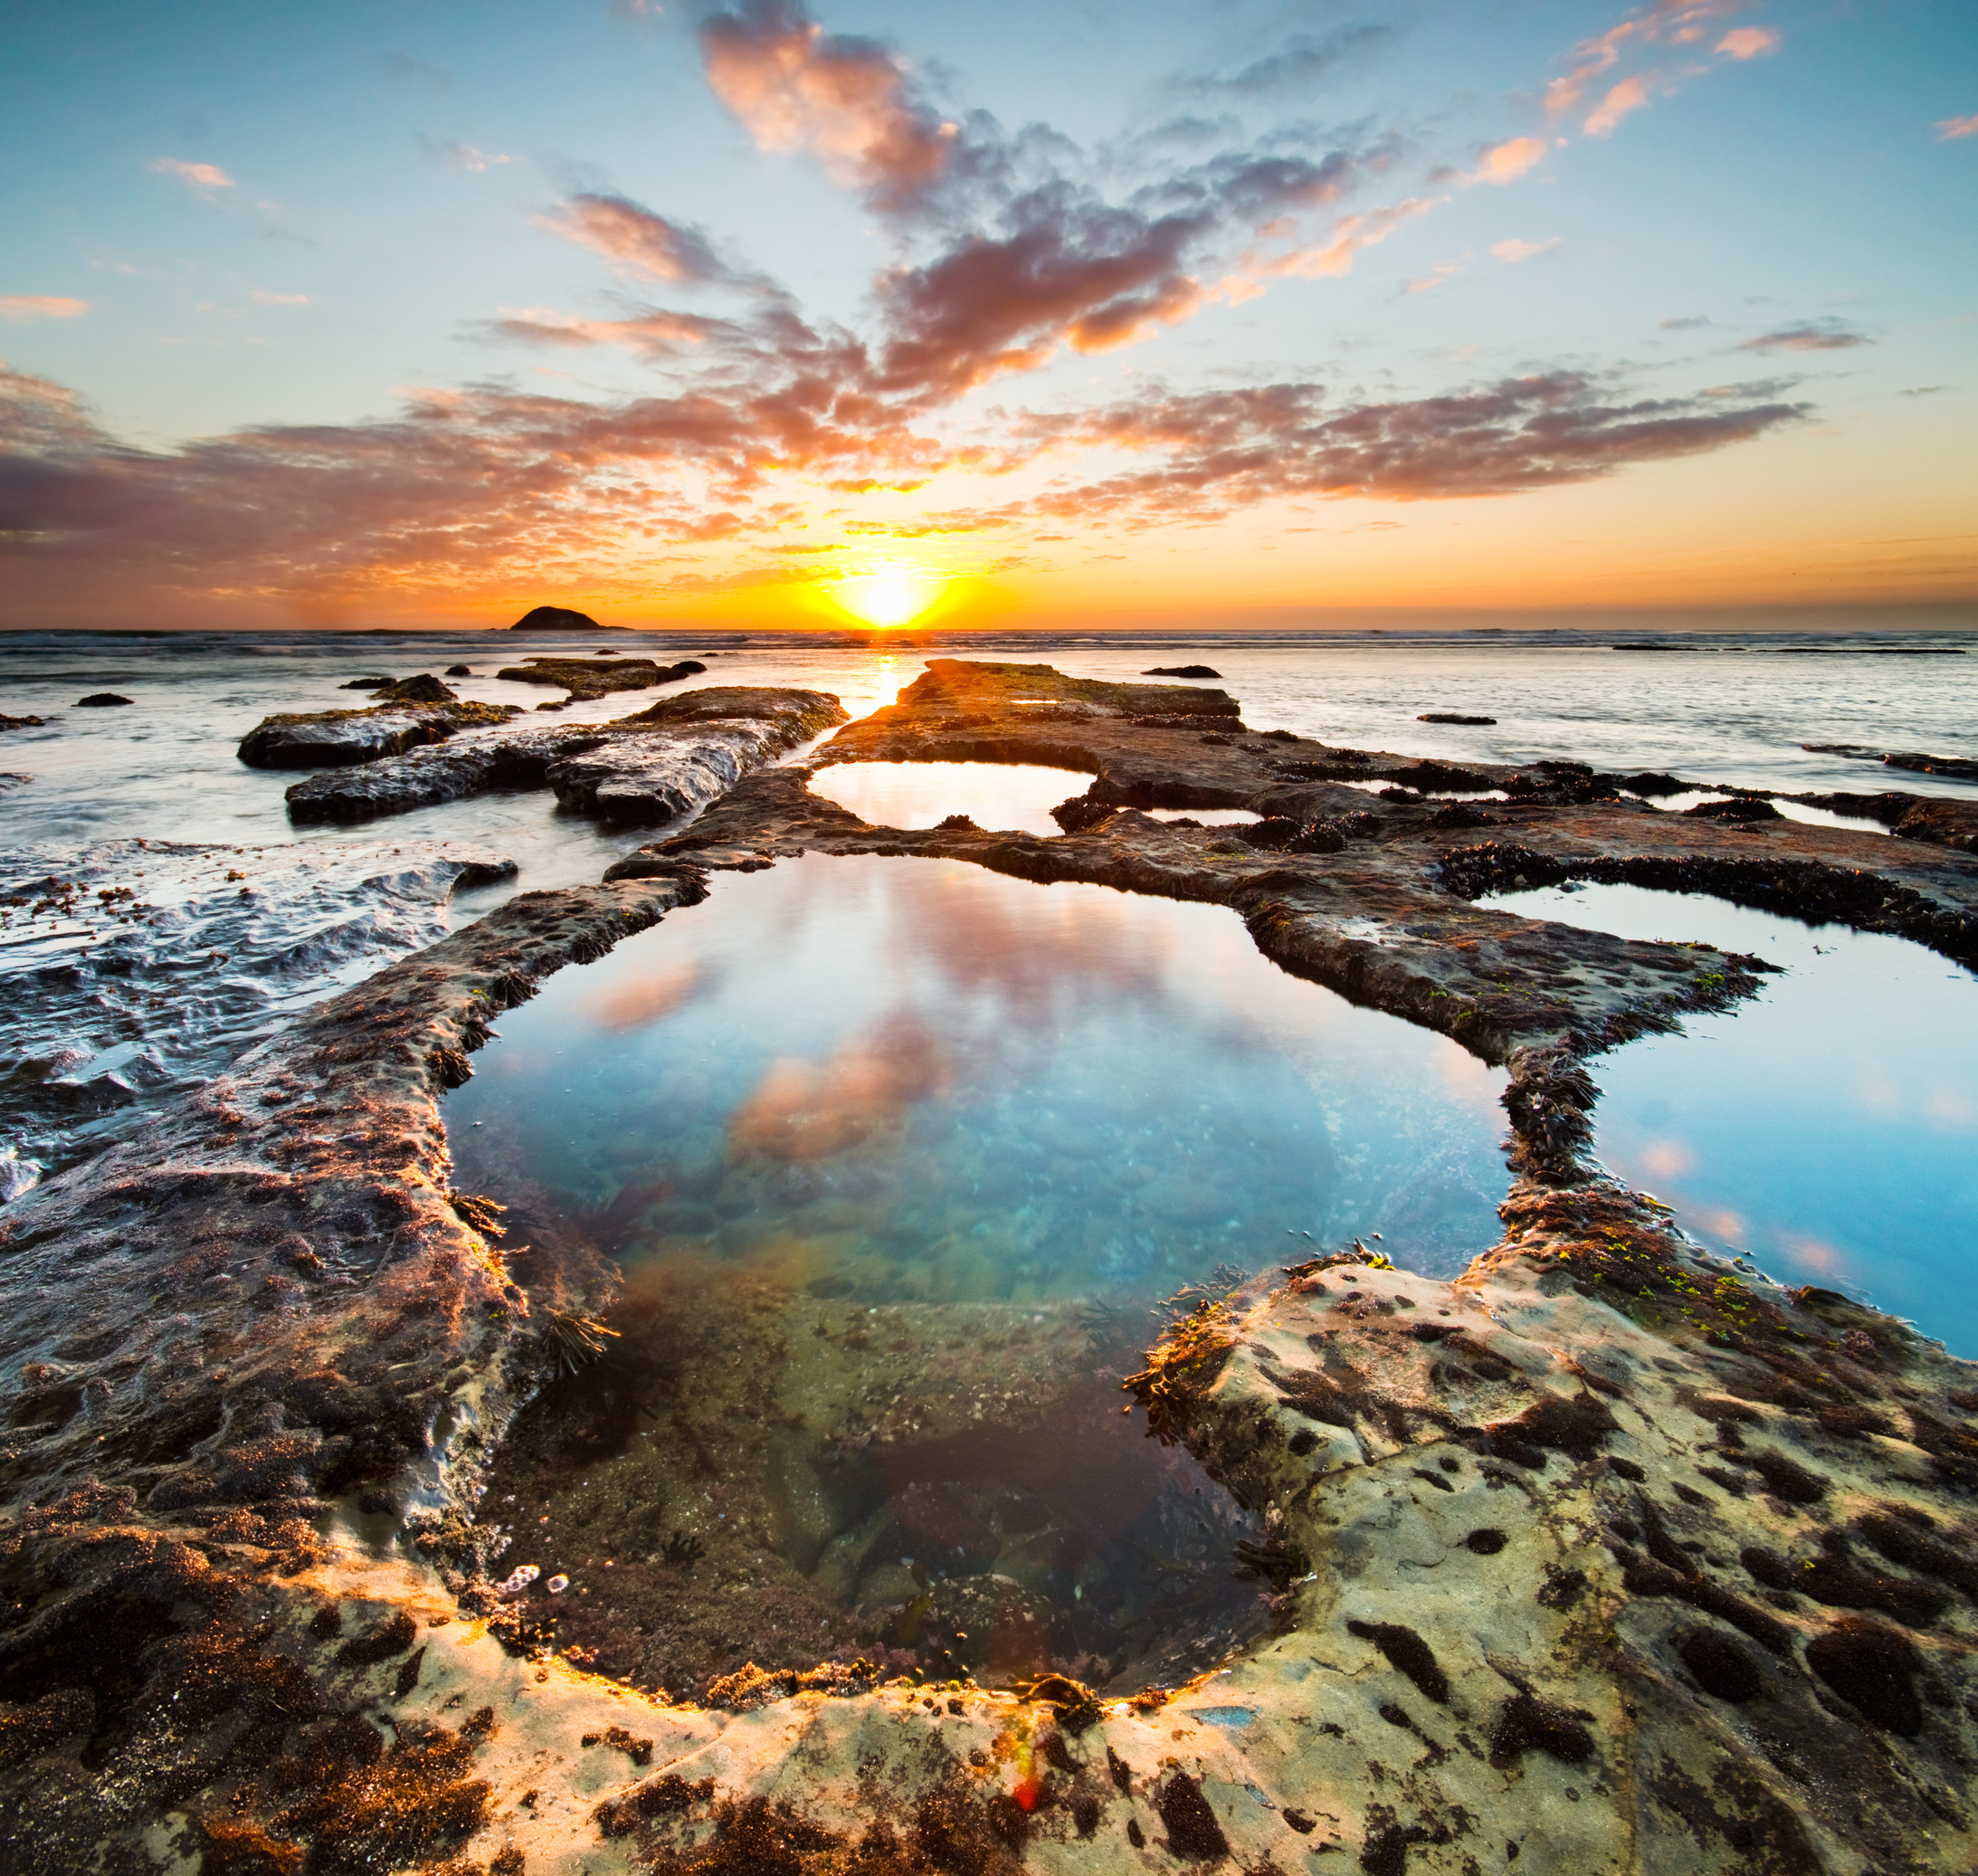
(897, 1159)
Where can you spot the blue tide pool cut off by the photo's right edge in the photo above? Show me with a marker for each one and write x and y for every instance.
(1827, 1129)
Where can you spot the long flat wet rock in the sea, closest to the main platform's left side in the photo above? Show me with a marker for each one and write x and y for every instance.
(644, 769)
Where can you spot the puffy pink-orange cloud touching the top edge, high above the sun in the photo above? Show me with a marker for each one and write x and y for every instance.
(844, 100)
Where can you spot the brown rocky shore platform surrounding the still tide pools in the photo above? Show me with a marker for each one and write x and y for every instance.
(1605, 1556)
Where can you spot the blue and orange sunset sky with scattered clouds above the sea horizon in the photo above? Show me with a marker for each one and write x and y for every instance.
(1164, 314)
